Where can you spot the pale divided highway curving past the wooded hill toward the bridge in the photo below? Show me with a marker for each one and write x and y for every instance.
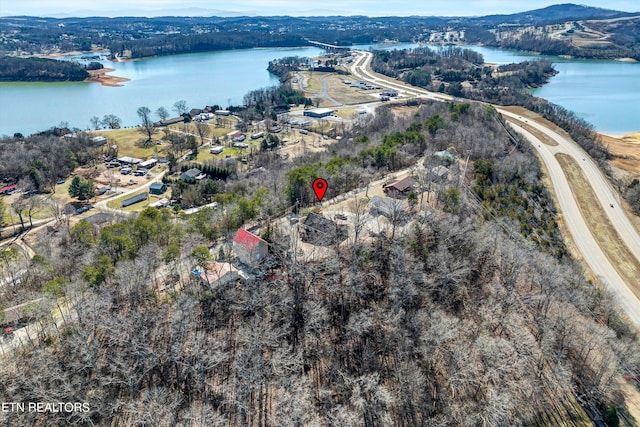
(583, 237)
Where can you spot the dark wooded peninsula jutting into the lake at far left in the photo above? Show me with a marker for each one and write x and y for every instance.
(40, 69)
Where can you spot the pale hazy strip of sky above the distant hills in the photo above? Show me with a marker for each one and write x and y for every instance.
(60, 8)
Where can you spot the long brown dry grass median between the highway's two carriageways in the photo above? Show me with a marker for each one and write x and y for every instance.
(598, 222)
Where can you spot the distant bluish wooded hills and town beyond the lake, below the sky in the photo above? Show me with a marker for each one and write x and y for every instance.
(143, 37)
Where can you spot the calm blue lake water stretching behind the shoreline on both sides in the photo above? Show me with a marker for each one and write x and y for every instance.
(603, 92)
